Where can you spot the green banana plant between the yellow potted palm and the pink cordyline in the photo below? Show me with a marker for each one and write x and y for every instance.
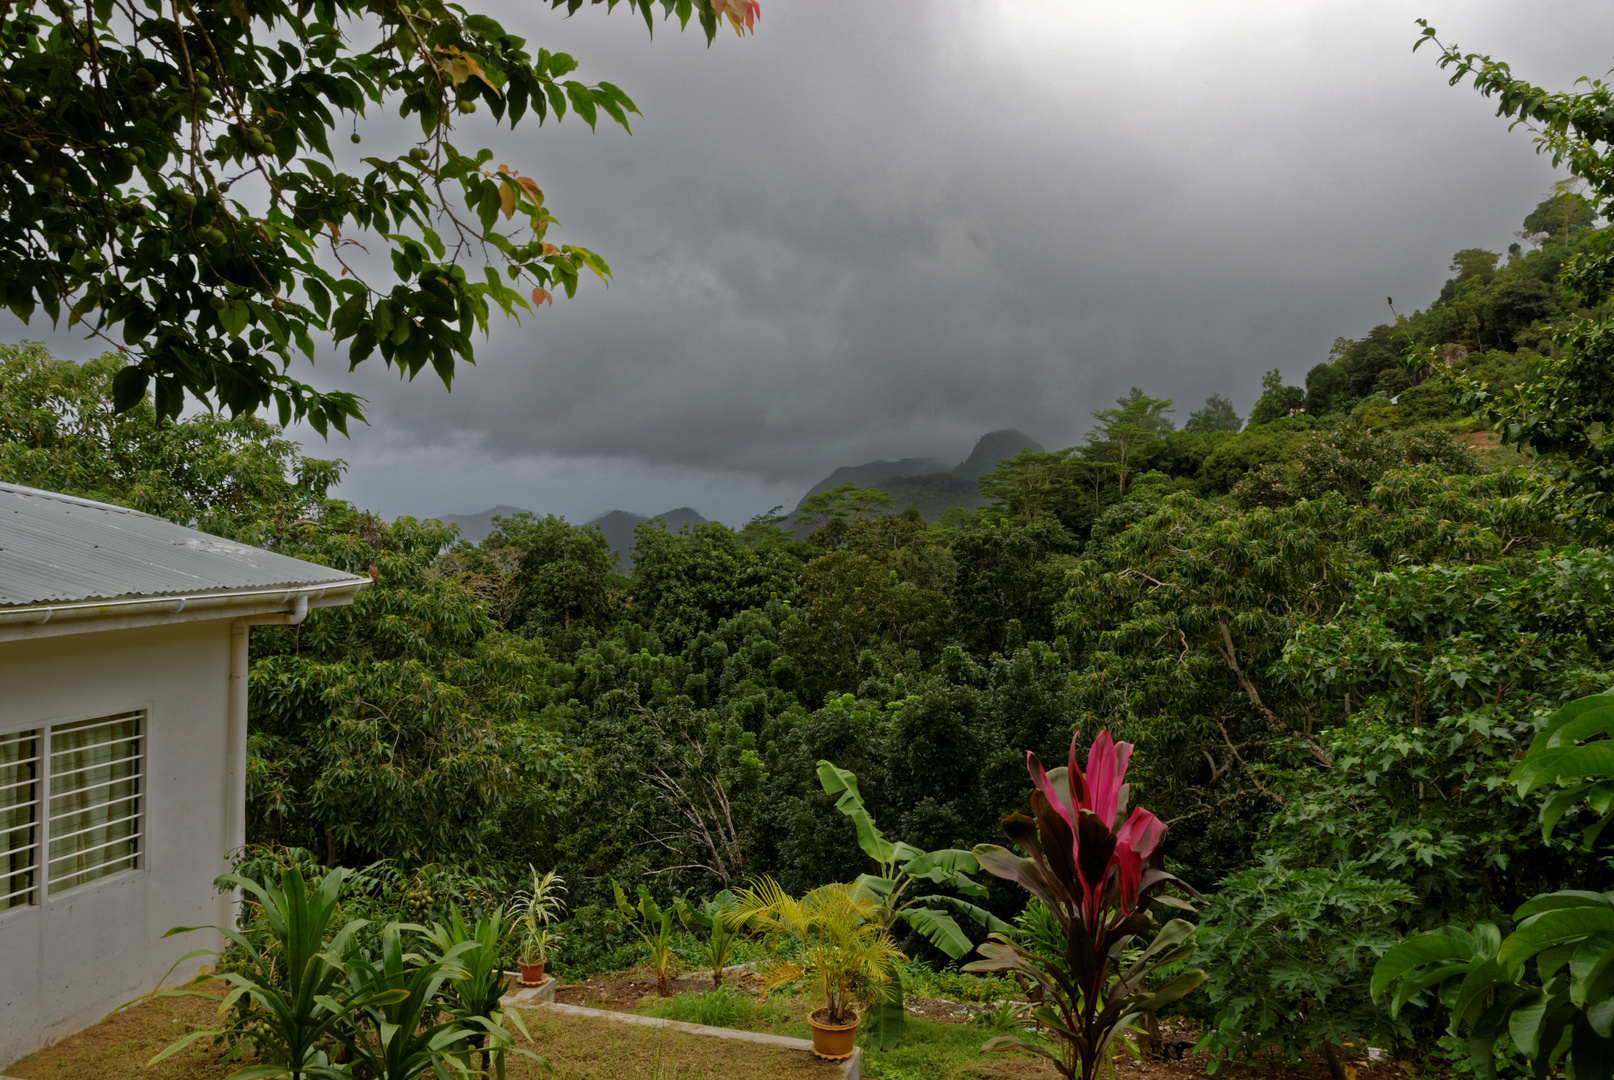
(895, 887)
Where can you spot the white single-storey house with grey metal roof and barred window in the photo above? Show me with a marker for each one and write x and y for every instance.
(123, 745)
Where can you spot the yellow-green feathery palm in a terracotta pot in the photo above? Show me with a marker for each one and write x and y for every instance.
(845, 953)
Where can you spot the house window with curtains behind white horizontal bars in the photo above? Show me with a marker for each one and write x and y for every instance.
(72, 806)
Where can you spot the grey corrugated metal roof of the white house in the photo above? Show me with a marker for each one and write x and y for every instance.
(59, 550)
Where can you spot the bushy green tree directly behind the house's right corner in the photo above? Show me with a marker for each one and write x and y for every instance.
(399, 727)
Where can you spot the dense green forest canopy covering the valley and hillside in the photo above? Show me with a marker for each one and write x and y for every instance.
(1329, 632)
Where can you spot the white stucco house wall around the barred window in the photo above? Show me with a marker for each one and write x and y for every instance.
(73, 958)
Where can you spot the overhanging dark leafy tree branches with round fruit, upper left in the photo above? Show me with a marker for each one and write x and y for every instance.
(169, 185)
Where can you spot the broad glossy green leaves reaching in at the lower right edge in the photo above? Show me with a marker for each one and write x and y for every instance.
(1565, 1018)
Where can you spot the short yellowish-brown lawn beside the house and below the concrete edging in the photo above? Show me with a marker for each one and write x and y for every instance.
(577, 1049)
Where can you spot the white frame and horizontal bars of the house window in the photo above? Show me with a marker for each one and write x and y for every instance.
(40, 890)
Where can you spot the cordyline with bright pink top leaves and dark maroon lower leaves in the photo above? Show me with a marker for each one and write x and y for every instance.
(1097, 868)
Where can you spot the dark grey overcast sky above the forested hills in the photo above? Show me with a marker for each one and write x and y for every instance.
(880, 230)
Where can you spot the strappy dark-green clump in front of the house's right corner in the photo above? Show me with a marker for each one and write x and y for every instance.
(301, 998)
